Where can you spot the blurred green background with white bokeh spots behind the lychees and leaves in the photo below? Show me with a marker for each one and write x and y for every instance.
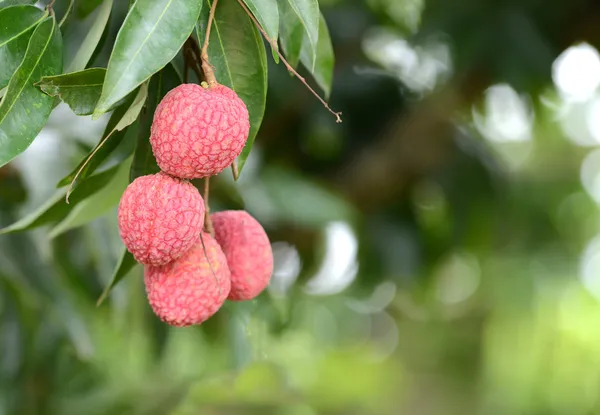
(436, 253)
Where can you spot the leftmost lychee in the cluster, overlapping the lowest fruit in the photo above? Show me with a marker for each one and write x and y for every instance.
(160, 218)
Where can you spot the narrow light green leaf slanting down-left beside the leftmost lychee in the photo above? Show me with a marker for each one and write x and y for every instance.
(98, 204)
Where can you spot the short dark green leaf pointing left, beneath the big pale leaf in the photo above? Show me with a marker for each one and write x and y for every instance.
(79, 90)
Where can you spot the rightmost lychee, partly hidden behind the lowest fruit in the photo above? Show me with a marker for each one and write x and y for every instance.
(248, 251)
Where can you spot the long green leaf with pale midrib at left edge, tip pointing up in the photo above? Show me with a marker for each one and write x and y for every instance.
(24, 108)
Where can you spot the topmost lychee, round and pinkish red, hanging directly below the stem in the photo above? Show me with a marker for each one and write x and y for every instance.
(198, 132)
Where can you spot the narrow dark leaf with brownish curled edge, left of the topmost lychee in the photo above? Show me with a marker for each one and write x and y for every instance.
(114, 132)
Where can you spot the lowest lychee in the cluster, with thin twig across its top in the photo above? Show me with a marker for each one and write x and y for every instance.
(187, 291)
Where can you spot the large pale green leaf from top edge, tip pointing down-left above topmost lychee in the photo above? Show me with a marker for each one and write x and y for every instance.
(151, 35)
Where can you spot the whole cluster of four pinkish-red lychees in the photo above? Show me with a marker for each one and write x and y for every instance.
(197, 132)
